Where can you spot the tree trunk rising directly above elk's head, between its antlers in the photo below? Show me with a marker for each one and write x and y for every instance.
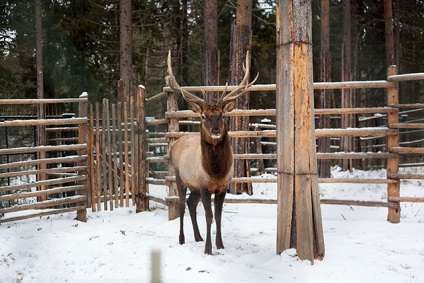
(211, 46)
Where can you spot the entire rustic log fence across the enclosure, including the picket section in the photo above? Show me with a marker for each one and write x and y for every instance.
(106, 158)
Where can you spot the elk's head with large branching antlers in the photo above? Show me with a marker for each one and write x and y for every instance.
(212, 115)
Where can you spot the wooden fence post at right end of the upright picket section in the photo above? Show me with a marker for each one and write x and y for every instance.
(142, 203)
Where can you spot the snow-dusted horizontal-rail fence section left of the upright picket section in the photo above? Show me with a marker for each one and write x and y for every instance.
(57, 176)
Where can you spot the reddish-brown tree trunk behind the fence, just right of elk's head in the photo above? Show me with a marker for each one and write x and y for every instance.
(241, 43)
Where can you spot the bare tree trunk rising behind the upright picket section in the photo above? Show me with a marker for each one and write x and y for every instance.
(125, 49)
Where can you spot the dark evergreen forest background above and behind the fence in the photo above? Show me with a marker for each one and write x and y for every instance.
(81, 46)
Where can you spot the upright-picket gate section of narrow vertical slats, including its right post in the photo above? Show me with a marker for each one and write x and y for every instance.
(117, 154)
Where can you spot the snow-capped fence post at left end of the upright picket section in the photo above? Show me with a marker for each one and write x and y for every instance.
(83, 138)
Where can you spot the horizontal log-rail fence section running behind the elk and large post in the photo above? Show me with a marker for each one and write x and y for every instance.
(390, 133)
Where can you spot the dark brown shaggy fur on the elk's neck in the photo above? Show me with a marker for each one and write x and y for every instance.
(216, 156)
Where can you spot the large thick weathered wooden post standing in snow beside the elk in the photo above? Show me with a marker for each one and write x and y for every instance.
(299, 223)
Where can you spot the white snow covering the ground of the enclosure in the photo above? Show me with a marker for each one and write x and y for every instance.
(116, 246)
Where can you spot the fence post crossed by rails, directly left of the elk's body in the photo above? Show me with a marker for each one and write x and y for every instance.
(173, 126)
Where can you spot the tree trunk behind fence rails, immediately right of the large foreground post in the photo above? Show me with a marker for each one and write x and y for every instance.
(326, 94)
